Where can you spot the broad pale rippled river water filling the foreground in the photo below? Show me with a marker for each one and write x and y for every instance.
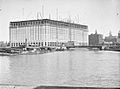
(79, 67)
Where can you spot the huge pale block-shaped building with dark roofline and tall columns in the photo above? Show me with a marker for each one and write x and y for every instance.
(46, 32)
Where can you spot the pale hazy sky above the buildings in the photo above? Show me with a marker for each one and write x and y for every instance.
(100, 15)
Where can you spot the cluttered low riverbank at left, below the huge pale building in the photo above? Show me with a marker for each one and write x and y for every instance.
(27, 51)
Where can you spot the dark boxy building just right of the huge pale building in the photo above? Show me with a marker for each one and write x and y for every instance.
(95, 39)
